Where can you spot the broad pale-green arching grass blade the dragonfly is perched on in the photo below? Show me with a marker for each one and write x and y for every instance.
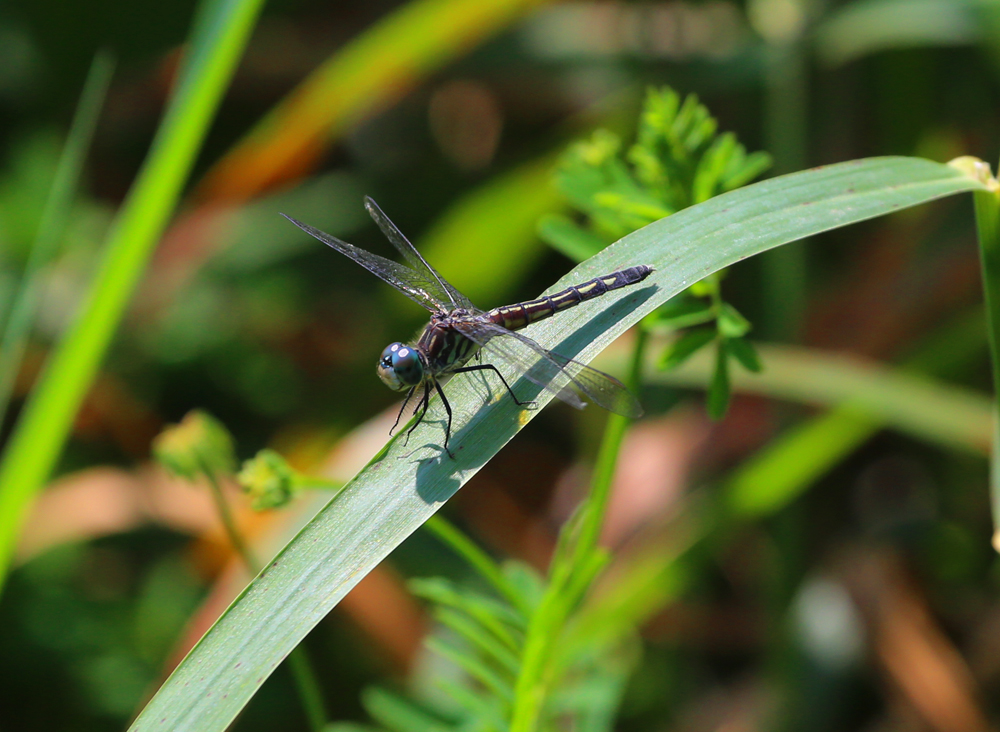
(407, 483)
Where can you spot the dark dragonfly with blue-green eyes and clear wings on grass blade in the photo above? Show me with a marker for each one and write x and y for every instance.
(461, 338)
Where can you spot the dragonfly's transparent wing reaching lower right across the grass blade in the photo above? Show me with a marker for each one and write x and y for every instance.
(557, 374)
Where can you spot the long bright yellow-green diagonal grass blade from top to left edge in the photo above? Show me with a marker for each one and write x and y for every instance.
(219, 35)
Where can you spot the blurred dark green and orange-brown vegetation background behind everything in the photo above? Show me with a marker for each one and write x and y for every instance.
(866, 595)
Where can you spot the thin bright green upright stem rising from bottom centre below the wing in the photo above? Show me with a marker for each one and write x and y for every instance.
(573, 569)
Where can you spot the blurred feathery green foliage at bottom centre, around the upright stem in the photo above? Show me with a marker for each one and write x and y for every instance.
(476, 654)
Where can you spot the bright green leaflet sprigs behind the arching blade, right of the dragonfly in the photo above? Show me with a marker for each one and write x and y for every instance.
(677, 160)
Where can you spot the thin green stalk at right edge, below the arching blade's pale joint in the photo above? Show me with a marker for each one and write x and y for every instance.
(987, 205)
